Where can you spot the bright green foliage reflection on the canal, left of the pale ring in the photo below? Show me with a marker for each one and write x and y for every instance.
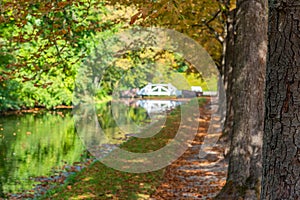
(32, 144)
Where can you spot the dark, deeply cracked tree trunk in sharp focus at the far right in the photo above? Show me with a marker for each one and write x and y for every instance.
(281, 155)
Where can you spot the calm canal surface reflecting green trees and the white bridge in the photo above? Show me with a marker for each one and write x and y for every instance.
(31, 145)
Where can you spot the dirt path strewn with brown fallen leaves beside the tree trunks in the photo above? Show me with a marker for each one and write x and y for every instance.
(191, 177)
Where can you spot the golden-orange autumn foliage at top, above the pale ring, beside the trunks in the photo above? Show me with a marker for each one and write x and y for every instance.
(200, 20)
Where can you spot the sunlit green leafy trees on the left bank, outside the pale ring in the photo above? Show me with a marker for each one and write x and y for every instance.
(42, 46)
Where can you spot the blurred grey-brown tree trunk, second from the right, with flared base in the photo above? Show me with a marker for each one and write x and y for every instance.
(244, 171)
